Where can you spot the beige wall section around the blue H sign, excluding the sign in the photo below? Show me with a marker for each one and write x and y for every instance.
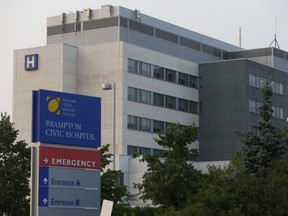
(48, 76)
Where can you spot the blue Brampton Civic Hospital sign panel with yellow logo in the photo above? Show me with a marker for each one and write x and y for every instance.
(68, 119)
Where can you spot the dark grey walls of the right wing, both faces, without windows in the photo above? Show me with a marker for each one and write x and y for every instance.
(224, 96)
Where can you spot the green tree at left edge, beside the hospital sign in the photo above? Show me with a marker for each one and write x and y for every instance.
(14, 170)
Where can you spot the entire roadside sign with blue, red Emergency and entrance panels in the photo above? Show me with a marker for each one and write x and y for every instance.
(66, 165)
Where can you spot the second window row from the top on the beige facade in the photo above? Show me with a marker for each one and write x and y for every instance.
(161, 100)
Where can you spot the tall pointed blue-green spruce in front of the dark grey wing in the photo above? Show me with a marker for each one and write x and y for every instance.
(264, 143)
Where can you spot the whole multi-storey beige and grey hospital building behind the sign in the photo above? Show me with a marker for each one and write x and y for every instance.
(149, 74)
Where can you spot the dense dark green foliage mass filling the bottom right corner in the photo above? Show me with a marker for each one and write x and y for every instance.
(247, 194)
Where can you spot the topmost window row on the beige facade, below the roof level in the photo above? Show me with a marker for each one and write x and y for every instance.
(162, 73)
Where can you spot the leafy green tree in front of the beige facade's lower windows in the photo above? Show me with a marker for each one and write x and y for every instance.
(169, 179)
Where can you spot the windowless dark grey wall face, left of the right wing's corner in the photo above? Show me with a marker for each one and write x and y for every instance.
(224, 108)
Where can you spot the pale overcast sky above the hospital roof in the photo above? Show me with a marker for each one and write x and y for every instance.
(23, 24)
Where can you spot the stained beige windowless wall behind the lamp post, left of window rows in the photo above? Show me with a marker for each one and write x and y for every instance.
(99, 64)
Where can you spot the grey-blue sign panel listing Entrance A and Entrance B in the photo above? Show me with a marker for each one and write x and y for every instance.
(68, 187)
